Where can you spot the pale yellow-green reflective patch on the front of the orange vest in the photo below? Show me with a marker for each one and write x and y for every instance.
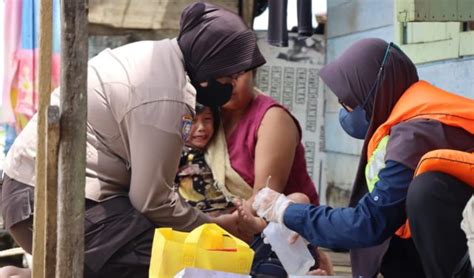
(376, 163)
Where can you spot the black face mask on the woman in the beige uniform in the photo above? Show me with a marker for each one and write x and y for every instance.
(215, 94)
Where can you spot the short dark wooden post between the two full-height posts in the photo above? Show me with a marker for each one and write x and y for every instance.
(52, 143)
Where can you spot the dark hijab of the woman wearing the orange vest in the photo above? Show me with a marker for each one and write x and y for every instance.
(350, 78)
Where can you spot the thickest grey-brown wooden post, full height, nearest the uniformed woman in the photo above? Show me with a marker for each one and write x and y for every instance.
(72, 146)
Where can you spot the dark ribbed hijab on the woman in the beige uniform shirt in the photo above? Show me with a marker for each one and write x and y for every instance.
(216, 43)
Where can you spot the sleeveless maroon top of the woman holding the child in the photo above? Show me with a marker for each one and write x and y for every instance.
(241, 146)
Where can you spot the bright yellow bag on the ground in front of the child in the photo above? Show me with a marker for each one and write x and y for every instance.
(208, 247)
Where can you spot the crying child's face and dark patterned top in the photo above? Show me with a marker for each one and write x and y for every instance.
(194, 179)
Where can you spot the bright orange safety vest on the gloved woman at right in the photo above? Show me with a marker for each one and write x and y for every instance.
(425, 101)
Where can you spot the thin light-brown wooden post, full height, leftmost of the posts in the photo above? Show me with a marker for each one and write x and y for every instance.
(45, 54)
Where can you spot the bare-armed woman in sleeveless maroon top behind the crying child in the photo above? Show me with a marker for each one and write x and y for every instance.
(263, 140)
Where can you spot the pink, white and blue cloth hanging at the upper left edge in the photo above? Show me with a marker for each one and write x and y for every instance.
(20, 94)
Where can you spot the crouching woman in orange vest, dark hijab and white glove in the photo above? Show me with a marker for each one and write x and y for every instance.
(400, 120)
